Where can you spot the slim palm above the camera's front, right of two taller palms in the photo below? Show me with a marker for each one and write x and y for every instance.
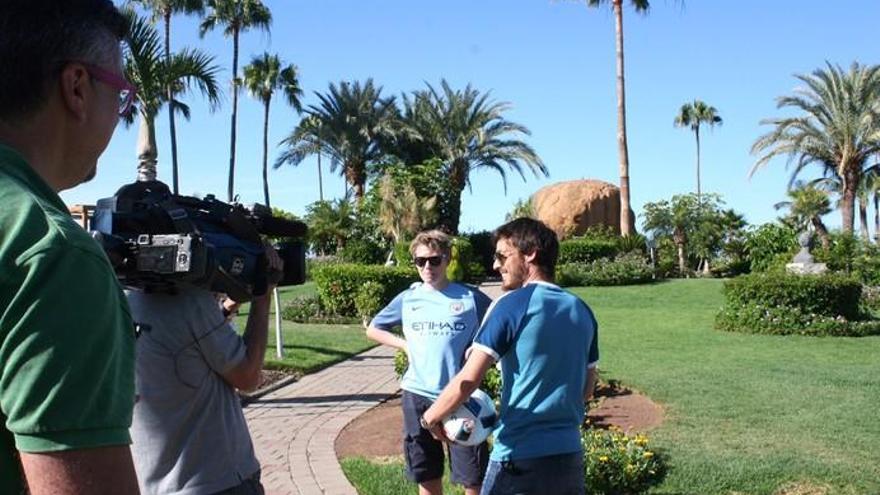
(262, 77)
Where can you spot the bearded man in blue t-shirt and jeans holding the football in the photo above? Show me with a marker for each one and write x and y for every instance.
(546, 341)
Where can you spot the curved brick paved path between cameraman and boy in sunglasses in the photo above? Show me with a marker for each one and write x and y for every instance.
(295, 428)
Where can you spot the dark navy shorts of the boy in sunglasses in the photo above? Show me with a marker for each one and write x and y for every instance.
(424, 455)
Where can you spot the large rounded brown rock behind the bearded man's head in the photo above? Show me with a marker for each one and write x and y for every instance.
(570, 207)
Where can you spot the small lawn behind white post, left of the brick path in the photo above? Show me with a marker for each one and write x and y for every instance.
(308, 348)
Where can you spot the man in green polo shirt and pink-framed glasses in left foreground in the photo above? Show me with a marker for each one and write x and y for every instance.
(66, 337)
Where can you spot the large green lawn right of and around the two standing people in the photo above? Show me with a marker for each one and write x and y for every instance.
(745, 414)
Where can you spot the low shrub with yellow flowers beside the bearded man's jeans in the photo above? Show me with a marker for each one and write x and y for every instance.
(617, 464)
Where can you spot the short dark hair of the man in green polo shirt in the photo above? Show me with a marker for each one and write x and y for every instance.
(38, 36)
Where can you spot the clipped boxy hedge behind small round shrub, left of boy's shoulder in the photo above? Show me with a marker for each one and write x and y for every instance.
(338, 285)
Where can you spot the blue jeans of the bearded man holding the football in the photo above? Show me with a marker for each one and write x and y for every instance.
(561, 474)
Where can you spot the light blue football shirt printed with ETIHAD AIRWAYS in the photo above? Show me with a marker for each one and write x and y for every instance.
(439, 326)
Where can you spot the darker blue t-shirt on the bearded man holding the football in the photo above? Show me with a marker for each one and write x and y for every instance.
(545, 339)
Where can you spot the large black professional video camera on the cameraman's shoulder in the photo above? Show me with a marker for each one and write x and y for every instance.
(156, 240)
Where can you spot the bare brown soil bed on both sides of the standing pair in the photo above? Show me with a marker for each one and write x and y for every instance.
(378, 432)
